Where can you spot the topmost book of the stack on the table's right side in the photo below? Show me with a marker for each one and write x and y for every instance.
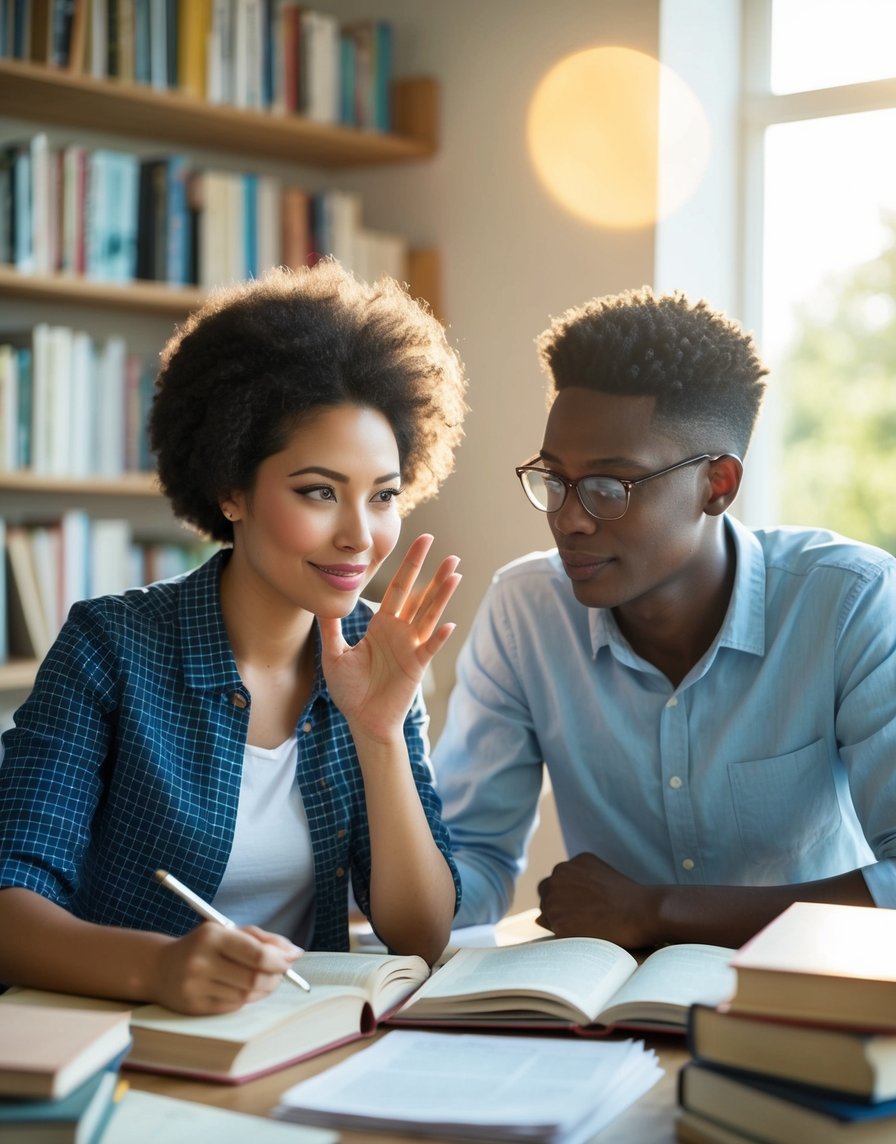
(822, 963)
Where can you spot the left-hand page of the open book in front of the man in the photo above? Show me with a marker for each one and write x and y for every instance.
(577, 975)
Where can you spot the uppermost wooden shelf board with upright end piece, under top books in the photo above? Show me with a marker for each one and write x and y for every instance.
(44, 94)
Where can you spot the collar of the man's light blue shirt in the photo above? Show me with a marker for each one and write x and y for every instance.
(744, 625)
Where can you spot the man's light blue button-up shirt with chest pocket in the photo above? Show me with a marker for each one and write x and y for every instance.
(773, 762)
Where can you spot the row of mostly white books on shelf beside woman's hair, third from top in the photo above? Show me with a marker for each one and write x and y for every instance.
(72, 407)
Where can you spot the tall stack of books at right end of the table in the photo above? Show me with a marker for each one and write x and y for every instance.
(806, 1048)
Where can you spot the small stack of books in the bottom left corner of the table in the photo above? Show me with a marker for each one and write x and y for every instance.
(59, 1072)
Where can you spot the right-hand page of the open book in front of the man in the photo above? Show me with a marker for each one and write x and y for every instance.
(670, 981)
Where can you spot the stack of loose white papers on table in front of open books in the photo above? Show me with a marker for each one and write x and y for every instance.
(477, 1087)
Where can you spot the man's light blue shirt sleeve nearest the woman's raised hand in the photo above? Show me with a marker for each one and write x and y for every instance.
(489, 766)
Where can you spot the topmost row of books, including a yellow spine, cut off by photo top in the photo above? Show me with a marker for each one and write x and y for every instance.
(271, 55)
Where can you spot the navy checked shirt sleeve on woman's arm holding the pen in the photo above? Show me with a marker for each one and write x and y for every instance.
(51, 778)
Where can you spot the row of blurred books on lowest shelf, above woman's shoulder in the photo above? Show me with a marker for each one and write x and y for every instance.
(49, 567)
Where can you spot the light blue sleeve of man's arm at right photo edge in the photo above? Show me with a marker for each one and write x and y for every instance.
(867, 722)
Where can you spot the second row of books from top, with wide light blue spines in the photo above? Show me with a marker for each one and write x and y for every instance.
(114, 217)
